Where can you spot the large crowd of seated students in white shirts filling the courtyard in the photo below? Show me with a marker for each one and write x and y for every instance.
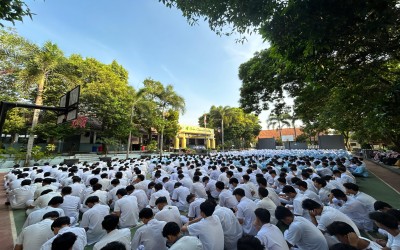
(232, 200)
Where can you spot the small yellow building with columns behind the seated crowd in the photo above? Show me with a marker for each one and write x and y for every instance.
(188, 133)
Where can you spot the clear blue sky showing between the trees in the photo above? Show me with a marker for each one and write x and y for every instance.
(150, 41)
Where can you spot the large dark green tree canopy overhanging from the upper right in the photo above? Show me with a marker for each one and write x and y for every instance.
(339, 60)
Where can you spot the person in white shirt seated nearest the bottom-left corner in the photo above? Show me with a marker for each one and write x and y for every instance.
(34, 236)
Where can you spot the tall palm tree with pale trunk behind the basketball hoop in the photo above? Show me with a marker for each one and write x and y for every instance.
(36, 74)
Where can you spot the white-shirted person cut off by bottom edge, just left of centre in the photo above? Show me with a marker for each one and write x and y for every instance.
(176, 240)
